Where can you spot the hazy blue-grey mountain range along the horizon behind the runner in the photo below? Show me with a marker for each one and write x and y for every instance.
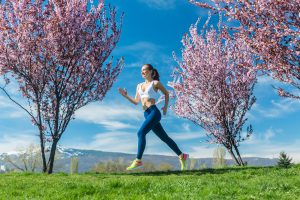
(88, 159)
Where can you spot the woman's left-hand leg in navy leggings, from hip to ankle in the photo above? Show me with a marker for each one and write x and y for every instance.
(151, 120)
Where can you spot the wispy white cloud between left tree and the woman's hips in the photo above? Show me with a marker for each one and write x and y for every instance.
(110, 116)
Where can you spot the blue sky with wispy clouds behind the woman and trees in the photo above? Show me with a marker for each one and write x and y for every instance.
(152, 29)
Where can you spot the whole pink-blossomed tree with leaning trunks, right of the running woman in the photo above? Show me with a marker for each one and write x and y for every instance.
(212, 89)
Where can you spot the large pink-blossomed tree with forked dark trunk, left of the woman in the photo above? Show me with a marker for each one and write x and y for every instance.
(57, 51)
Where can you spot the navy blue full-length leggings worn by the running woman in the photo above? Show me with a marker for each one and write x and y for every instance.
(153, 116)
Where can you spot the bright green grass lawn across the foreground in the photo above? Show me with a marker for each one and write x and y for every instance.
(229, 183)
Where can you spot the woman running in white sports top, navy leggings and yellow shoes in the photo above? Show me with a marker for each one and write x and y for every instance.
(147, 92)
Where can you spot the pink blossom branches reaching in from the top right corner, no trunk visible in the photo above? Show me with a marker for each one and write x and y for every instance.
(271, 29)
